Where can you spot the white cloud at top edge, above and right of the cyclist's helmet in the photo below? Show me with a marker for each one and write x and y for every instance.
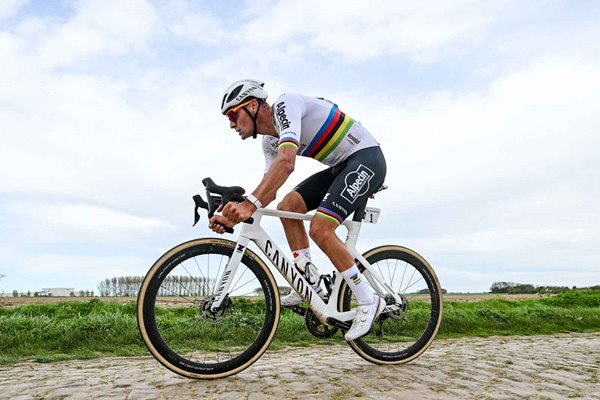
(357, 30)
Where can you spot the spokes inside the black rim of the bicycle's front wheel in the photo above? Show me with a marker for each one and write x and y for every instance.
(190, 328)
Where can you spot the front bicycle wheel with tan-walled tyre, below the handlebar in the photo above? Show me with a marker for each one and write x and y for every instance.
(177, 323)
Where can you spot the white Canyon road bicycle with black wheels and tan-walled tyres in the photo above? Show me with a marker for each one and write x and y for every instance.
(209, 308)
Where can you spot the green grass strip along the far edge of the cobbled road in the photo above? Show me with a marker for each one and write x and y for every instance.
(78, 330)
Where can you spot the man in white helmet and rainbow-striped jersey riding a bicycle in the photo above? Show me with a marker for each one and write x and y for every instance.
(298, 125)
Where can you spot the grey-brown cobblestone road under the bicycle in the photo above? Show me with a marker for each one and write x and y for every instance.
(540, 367)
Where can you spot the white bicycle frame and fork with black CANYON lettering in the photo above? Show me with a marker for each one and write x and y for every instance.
(254, 232)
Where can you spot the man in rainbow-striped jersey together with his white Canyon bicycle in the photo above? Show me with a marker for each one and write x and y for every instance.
(389, 291)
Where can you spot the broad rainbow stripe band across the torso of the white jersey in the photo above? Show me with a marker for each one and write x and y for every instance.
(330, 134)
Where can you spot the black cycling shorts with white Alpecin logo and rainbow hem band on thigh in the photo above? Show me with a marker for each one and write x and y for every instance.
(338, 191)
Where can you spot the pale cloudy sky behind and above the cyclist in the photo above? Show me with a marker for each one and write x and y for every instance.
(488, 114)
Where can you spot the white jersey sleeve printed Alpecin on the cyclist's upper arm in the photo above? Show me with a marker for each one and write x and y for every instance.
(287, 115)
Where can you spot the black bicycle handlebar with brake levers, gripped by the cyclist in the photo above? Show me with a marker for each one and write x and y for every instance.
(217, 195)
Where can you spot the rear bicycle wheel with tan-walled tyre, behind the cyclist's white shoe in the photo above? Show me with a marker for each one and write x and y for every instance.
(402, 334)
